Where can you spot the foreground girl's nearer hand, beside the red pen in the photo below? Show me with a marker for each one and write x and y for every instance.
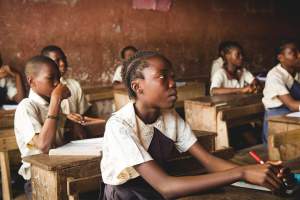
(265, 175)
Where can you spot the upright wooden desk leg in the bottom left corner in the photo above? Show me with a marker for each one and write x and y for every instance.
(5, 176)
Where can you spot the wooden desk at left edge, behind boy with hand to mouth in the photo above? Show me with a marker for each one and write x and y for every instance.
(7, 143)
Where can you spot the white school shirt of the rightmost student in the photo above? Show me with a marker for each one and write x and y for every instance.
(278, 82)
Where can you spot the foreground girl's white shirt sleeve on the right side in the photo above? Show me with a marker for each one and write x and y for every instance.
(185, 138)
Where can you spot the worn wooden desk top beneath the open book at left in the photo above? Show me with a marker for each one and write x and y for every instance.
(52, 163)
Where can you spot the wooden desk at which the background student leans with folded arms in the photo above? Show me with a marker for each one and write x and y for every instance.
(218, 113)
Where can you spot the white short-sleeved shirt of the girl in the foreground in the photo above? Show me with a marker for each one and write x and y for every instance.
(127, 138)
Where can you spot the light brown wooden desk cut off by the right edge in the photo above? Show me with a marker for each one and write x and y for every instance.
(284, 137)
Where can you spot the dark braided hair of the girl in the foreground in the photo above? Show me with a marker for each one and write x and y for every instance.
(132, 69)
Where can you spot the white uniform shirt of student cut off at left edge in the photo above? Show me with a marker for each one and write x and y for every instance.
(7, 89)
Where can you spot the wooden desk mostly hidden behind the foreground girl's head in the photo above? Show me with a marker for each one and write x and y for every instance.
(189, 91)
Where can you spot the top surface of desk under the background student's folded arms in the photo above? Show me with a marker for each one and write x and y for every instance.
(232, 99)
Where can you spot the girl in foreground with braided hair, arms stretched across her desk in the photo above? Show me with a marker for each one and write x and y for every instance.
(142, 136)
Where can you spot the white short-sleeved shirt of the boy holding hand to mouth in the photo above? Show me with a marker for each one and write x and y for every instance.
(30, 116)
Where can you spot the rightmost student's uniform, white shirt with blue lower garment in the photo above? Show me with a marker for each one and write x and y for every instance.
(278, 82)
